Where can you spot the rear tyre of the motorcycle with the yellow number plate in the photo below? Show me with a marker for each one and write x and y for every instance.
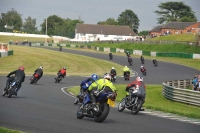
(104, 111)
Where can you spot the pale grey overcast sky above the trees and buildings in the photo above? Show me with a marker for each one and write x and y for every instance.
(91, 11)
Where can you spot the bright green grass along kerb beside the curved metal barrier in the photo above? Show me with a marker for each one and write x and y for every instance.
(156, 101)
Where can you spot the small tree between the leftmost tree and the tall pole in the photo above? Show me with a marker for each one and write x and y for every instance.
(29, 25)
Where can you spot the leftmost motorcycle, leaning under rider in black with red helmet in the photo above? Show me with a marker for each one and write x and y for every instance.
(12, 88)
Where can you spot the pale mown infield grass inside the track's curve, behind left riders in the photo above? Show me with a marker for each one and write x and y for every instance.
(52, 61)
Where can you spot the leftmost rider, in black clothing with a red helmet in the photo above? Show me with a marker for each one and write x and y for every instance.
(19, 75)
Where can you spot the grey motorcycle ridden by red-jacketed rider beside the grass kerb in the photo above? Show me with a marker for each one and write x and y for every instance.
(134, 101)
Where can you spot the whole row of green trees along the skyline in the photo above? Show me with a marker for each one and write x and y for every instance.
(168, 11)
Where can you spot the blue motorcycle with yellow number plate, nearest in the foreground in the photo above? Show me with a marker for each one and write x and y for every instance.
(100, 110)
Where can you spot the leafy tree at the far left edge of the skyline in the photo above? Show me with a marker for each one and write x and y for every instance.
(11, 18)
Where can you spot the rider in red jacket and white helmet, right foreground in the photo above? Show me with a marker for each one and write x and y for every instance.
(136, 84)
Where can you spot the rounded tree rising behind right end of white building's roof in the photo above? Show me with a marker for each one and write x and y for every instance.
(130, 19)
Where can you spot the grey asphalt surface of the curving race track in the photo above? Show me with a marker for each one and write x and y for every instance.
(45, 108)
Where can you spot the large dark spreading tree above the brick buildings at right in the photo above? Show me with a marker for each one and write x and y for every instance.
(175, 11)
